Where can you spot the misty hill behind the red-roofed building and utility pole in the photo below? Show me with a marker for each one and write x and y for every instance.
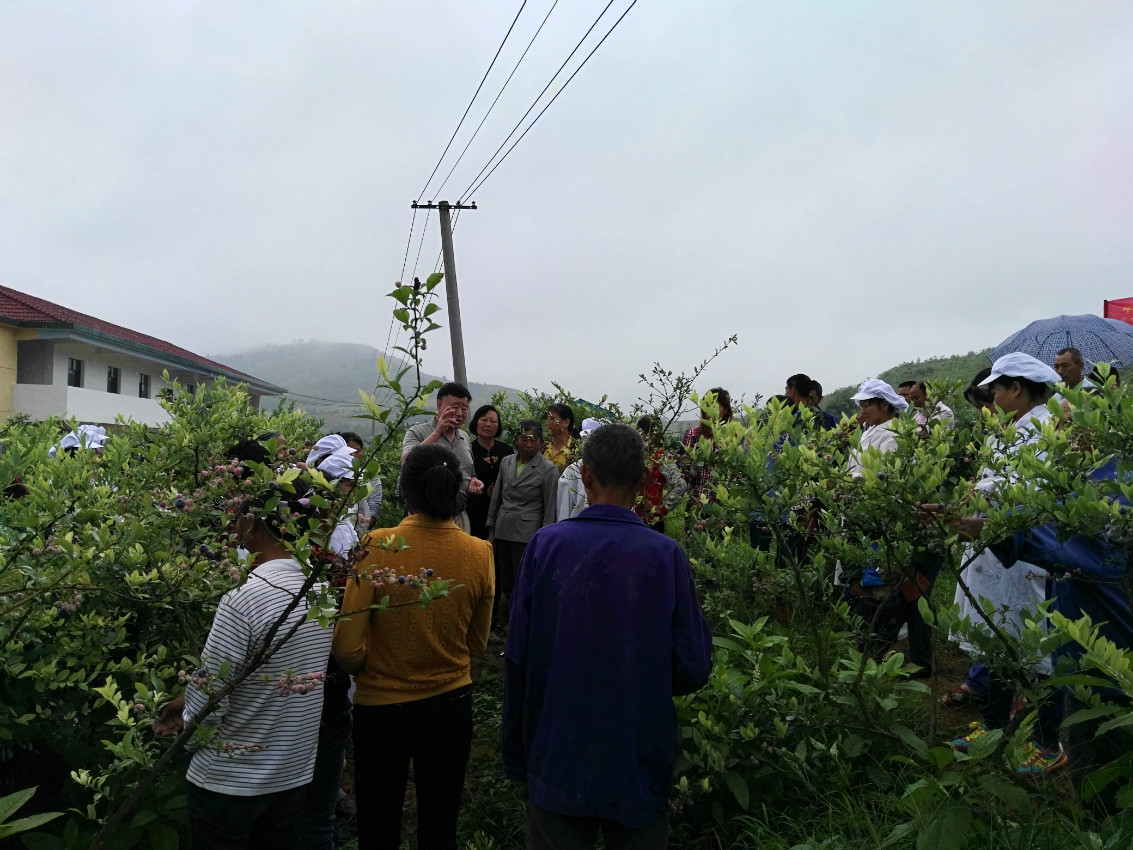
(325, 378)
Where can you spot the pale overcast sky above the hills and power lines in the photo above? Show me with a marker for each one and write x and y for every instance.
(846, 186)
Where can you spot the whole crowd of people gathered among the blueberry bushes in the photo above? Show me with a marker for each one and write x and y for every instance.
(558, 558)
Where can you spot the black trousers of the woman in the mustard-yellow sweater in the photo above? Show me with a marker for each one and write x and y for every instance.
(437, 736)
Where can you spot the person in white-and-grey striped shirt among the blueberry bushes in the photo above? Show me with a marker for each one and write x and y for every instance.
(246, 786)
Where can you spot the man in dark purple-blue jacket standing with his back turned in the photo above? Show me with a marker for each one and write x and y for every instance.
(606, 630)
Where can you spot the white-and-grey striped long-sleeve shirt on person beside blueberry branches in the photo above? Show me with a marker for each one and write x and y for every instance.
(274, 737)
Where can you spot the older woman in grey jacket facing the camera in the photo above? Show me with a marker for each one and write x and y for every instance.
(523, 503)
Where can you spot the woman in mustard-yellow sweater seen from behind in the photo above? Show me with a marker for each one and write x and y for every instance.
(414, 692)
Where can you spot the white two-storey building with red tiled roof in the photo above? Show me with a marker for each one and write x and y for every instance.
(57, 362)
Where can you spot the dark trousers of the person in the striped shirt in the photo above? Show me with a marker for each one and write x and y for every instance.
(226, 822)
